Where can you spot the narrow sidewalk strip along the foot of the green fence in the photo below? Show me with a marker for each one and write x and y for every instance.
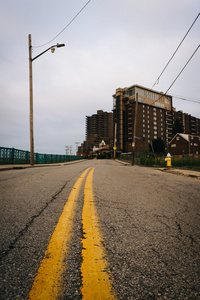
(17, 167)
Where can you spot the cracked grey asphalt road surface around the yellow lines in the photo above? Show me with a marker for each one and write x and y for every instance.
(149, 224)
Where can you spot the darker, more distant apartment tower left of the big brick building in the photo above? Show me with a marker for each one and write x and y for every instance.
(99, 127)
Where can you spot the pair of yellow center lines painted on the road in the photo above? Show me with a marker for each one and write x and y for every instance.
(96, 283)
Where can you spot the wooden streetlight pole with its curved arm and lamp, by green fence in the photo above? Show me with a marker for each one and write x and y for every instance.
(52, 48)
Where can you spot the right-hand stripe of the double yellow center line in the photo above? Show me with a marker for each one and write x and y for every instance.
(96, 283)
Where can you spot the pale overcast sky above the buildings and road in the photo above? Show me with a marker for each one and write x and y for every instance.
(111, 44)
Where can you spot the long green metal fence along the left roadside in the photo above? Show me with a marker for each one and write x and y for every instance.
(16, 156)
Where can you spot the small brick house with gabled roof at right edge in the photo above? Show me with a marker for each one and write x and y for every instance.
(184, 144)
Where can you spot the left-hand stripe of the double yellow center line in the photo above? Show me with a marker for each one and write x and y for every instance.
(48, 281)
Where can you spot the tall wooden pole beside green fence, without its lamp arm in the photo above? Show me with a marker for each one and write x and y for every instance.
(31, 103)
